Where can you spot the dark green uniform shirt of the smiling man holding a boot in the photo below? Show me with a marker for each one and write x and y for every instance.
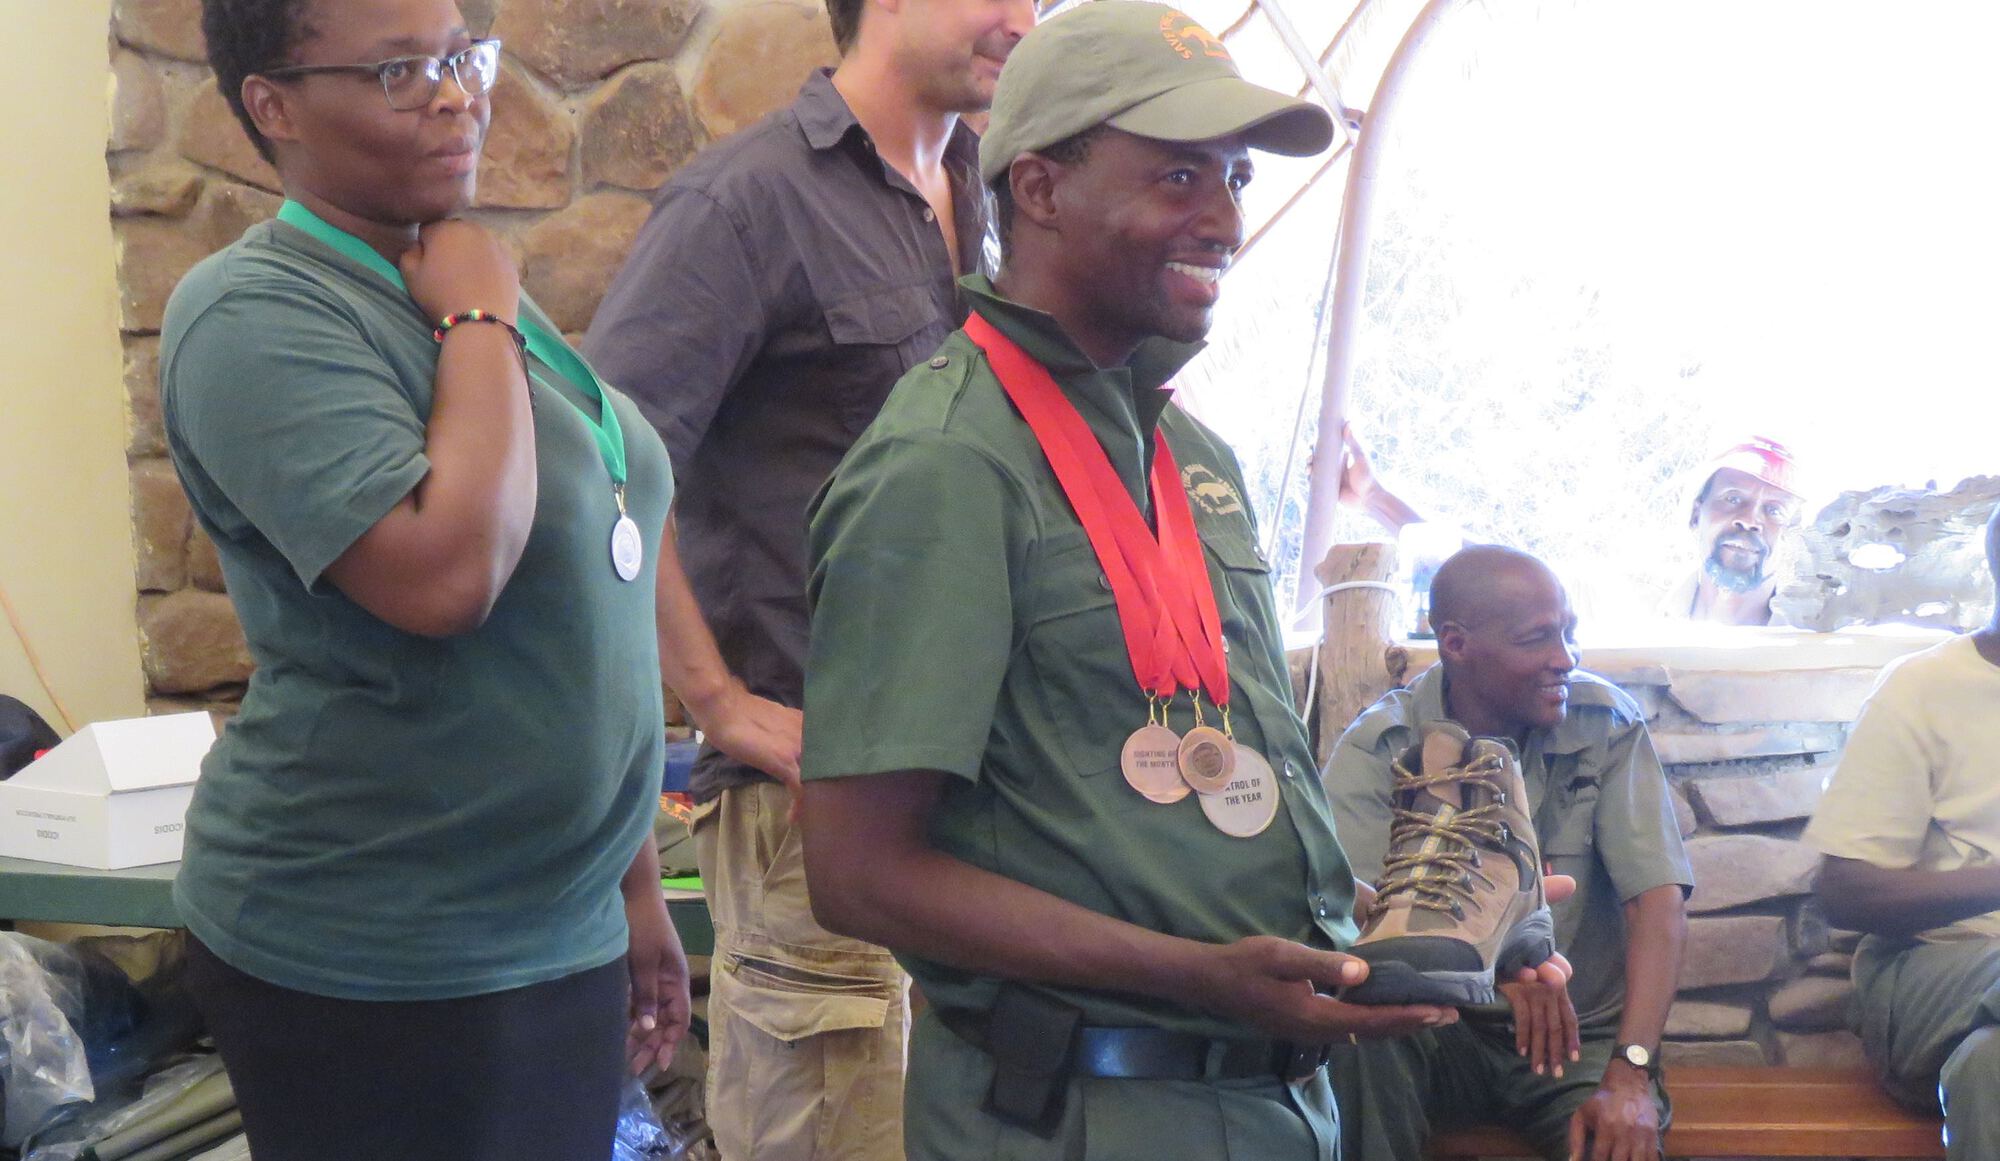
(961, 624)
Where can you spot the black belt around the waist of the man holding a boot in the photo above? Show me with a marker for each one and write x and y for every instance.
(1143, 1054)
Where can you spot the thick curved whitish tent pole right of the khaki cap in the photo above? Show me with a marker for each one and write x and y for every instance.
(1351, 281)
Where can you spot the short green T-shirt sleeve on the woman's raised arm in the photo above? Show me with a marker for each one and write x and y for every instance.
(285, 419)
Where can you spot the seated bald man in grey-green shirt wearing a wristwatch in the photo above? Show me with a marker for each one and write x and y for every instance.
(1563, 1076)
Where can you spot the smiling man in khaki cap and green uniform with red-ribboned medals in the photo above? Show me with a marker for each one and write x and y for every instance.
(1109, 930)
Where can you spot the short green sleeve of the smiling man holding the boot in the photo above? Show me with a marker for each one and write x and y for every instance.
(913, 616)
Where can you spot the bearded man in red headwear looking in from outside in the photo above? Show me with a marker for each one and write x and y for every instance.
(1747, 501)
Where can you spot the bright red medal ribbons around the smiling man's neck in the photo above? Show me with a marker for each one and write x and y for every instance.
(1167, 604)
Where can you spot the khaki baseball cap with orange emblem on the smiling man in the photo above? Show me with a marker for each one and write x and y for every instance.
(1145, 69)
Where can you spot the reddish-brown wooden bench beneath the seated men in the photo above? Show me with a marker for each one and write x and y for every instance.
(1829, 1114)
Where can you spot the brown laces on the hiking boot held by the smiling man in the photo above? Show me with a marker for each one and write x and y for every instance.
(1441, 876)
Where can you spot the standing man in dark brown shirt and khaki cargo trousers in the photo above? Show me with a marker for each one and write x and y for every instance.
(783, 285)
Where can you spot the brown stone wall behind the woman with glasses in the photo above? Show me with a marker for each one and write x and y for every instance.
(597, 105)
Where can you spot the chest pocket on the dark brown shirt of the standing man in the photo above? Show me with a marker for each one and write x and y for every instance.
(877, 335)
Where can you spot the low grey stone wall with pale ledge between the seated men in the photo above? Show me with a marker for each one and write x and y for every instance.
(1749, 738)
